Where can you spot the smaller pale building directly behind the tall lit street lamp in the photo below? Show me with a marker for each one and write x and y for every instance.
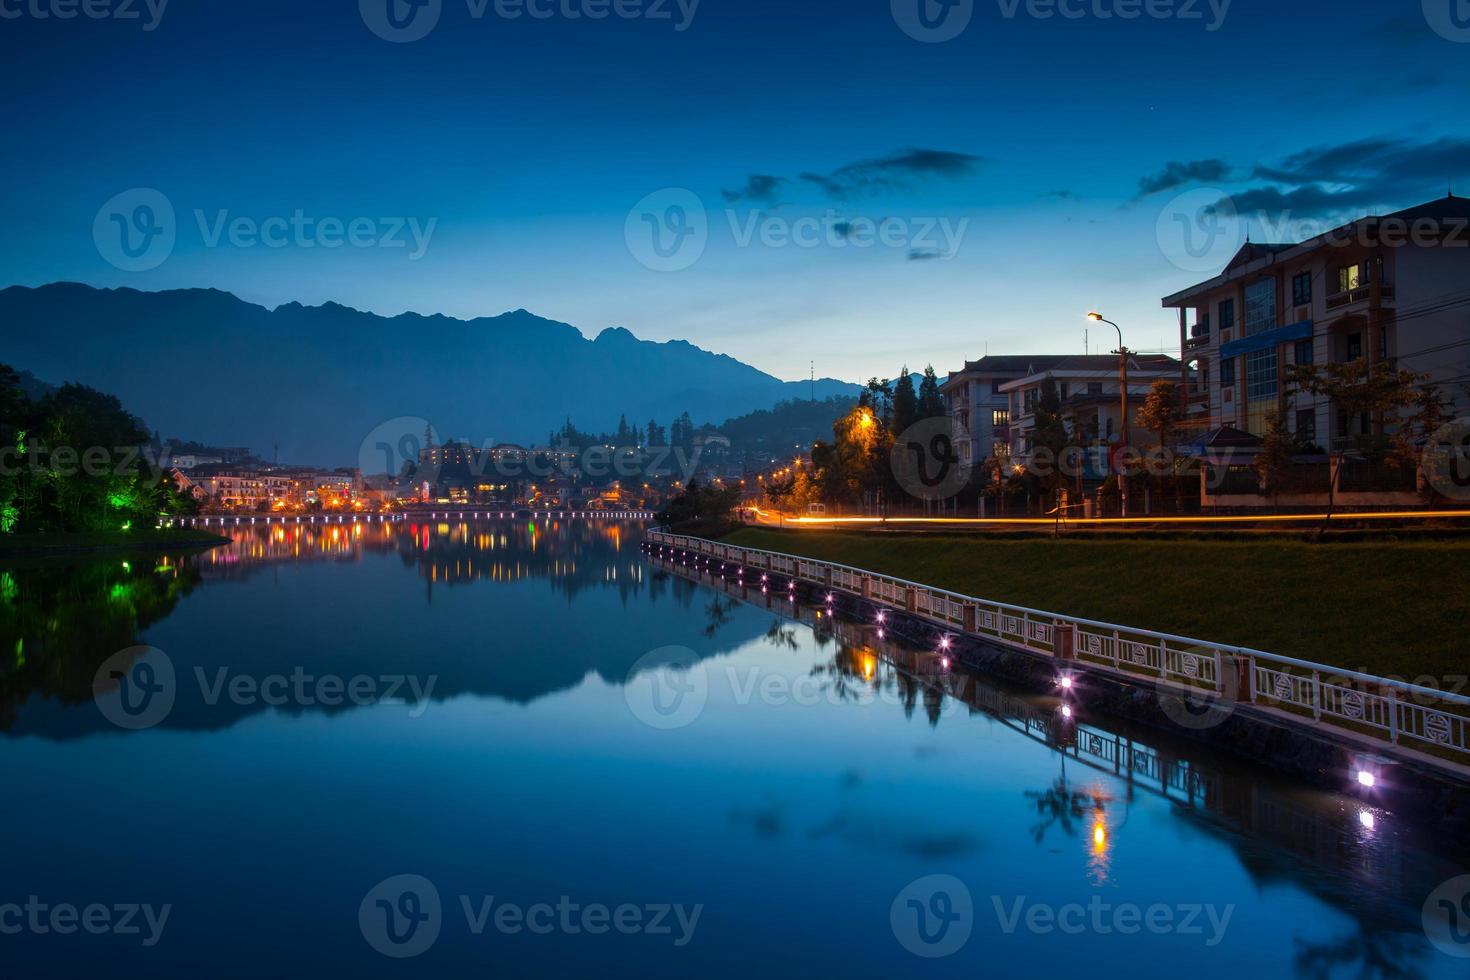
(1090, 389)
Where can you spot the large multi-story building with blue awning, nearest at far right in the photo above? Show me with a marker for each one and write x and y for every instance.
(1394, 290)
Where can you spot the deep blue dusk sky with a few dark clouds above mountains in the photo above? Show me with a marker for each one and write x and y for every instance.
(1021, 173)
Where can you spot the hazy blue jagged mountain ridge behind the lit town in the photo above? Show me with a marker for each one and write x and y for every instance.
(315, 381)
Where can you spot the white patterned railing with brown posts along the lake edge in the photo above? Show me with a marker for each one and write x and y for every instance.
(1381, 709)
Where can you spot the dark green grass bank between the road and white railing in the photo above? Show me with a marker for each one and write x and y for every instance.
(1390, 609)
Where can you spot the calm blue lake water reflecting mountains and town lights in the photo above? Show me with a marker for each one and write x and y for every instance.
(526, 750)
